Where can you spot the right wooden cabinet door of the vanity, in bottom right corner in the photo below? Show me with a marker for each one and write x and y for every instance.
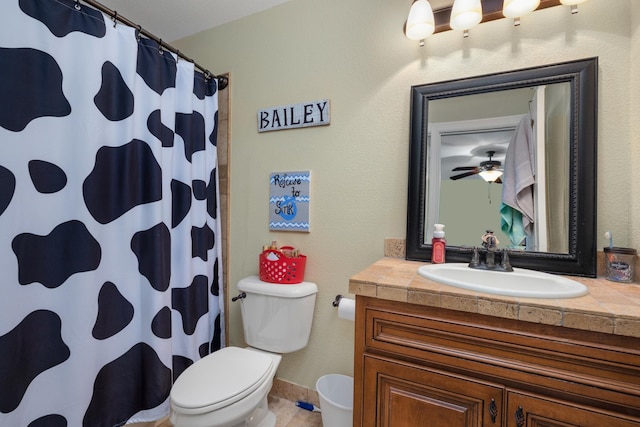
(529, 410)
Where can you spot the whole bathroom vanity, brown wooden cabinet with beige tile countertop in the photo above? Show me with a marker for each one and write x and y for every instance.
(428, 354)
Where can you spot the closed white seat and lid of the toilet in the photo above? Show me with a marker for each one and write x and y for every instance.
(220, 379)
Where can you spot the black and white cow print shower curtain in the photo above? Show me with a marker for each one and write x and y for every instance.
(110, 262)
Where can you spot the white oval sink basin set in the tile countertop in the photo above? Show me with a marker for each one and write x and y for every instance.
(518, 283)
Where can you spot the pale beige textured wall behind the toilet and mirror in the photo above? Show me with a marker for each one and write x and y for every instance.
(354, 53)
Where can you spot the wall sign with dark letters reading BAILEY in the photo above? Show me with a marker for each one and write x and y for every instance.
(307, 114)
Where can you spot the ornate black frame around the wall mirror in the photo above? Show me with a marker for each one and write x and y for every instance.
(583, 78)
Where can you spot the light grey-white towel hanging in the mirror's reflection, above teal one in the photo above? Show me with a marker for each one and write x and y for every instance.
(519, 173)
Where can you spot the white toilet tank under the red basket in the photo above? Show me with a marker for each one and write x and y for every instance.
(275, 317)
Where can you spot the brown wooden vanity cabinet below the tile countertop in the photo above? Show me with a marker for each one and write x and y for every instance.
(424, 366)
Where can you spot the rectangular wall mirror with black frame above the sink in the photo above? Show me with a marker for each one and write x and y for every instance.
(514, 152)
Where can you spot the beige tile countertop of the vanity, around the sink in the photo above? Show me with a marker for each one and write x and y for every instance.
(609, 307)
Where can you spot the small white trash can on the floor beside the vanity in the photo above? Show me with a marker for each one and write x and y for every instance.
(336, 400)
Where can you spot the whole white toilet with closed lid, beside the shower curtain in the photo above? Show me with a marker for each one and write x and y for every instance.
(229, 387)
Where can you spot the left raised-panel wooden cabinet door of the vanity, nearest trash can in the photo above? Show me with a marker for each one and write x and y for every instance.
(398, 394)
